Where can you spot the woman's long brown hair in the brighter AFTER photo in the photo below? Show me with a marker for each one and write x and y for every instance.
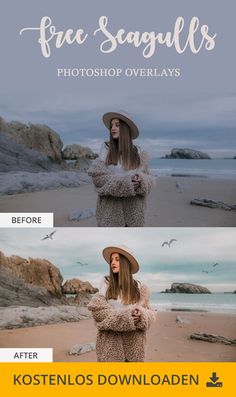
(122, 284)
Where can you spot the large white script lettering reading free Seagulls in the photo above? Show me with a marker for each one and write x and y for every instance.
(183, 35)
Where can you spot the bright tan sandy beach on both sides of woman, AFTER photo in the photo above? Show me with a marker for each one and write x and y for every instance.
(166, 340)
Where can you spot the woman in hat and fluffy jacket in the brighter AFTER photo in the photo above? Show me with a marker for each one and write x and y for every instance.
(121, 310)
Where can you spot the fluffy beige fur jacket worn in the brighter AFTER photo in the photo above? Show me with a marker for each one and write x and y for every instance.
(119, 339)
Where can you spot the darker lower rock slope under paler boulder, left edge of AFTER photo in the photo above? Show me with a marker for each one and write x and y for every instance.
(16, 292)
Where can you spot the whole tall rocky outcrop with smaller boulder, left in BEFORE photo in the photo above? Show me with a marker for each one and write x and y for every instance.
(34, 148)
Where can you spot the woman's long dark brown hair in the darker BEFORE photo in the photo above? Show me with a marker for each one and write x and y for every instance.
(123, 149)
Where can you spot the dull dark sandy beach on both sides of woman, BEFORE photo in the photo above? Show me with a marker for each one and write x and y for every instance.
(167, 205)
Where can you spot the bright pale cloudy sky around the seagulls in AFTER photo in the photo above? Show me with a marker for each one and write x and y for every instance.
(196, 249)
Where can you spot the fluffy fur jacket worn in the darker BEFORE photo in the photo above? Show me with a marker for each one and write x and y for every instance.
(119, 204)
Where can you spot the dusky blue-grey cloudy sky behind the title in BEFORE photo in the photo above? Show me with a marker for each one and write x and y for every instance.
(196, 110)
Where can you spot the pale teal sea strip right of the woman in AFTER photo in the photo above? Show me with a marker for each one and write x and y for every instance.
(216, 303)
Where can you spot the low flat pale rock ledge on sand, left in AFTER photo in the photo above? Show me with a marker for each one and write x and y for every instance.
(24, 316)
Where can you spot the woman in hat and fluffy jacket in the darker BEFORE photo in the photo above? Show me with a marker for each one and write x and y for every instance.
(120, 175)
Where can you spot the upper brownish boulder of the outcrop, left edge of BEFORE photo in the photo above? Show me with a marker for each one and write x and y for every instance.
(35, 136)
